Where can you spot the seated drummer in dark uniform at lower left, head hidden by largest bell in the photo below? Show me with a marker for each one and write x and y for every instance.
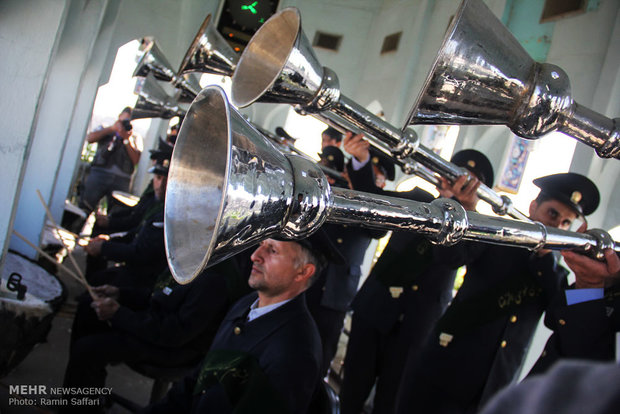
(170, 328)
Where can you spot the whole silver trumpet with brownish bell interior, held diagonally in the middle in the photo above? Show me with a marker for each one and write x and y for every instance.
(278, 65)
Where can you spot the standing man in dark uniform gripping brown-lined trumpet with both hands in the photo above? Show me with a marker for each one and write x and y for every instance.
(404, 295)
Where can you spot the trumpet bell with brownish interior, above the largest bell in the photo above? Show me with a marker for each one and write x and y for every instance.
(278, 65)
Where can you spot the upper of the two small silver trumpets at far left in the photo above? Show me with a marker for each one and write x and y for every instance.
(153, 61)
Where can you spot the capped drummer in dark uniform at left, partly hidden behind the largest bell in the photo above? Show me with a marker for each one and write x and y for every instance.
(143, 252)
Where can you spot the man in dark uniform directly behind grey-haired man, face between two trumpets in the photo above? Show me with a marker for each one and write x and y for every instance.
(330, 296)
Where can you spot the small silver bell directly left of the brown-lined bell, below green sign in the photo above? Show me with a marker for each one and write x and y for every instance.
(209, 53)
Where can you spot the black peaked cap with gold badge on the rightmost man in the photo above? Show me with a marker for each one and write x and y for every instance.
(575, 190)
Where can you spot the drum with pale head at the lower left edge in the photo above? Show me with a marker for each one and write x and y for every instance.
(29, 299)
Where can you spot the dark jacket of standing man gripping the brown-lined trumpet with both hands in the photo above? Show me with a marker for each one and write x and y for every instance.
(400, 279)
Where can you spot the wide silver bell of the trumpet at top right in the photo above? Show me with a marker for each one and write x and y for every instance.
(480, 75)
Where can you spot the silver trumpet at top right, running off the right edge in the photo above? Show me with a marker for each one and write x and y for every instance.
(482, 75)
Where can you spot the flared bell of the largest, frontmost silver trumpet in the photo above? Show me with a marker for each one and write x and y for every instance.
(228, 188)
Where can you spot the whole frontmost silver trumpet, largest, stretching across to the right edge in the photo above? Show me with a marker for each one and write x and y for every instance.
(229, 188)
